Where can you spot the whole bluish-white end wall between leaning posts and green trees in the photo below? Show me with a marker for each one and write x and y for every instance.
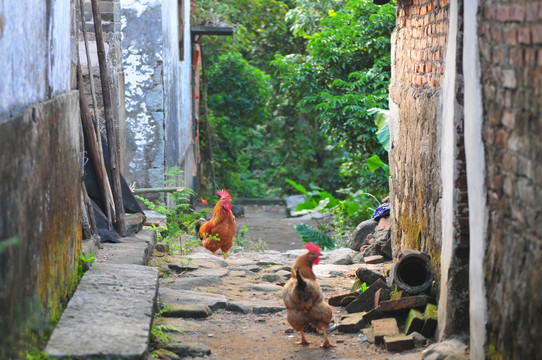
(158, 89)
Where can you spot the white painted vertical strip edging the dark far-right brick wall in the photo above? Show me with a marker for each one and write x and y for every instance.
(474, 150)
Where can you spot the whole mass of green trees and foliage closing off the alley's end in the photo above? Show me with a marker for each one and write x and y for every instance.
(295, 94)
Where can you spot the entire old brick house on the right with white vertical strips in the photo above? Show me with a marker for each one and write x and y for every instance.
(465, 163)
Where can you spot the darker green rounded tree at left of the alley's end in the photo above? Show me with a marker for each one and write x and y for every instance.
(238, 93)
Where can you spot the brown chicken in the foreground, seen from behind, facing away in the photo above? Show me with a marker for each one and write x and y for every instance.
(303, 297)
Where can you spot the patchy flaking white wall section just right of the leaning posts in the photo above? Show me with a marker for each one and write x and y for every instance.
(142, 54)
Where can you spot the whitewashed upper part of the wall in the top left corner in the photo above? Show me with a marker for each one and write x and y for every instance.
(34, 53)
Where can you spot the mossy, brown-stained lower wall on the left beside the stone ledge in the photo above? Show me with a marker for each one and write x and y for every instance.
(40, 193)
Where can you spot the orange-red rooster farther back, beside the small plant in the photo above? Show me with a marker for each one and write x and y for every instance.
(218, 232)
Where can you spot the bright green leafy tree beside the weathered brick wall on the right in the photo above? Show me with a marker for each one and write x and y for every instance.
(344, 73)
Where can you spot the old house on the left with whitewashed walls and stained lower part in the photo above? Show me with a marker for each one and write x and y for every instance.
(42, 152)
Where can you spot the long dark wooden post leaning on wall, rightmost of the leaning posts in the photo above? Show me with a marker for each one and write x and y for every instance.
(120, 223)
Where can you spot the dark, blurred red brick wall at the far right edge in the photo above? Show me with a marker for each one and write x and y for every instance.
(510, 43)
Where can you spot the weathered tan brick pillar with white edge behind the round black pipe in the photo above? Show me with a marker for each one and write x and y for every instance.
(428, 186)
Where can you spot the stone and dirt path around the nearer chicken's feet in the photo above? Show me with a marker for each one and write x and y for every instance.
(247, 316)
